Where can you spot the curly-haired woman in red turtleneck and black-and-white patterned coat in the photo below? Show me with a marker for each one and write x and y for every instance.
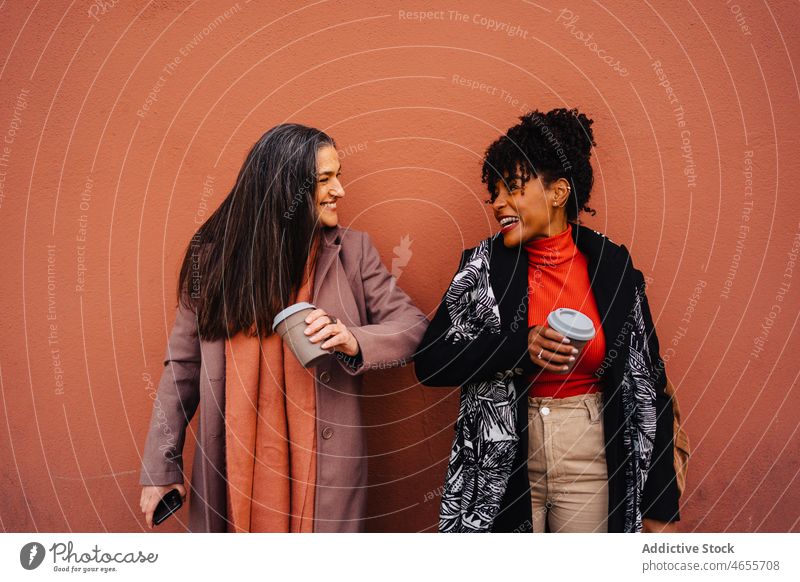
(545, 441)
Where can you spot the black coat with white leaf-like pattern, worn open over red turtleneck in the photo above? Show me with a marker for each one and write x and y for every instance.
(478, 340)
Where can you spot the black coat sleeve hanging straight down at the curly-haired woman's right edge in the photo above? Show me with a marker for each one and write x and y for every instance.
(660, 498)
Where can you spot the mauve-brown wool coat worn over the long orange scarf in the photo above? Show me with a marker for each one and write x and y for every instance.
(352, 284)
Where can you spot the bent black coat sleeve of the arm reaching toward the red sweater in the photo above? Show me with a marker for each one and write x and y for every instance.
(441, 362)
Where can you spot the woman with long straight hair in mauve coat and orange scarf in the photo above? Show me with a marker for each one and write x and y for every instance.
(279, 447)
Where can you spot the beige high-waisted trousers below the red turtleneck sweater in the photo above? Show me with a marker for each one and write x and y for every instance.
(567, 463)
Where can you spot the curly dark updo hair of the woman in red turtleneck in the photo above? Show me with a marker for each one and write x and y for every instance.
(553, 145)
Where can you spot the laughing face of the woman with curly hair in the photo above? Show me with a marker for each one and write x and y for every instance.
(531, 210)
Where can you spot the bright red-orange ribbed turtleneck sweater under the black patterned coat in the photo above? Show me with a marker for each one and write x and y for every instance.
(558, 276)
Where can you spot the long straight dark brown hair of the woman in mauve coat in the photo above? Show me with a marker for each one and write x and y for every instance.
(245, 262)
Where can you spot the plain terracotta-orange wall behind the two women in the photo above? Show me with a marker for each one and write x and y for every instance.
(79, 360)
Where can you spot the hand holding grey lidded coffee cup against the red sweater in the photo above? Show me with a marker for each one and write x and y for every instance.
(556, 346)
